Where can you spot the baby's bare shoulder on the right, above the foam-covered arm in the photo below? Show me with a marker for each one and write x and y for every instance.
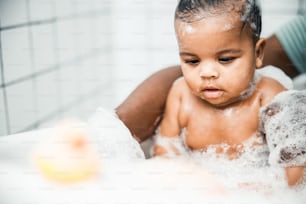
(269, 88)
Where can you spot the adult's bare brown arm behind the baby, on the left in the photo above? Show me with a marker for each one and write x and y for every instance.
(142, 110)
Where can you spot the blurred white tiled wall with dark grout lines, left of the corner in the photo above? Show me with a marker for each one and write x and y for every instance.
(54, 61)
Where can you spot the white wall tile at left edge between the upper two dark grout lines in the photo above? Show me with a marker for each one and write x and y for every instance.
(16, 53)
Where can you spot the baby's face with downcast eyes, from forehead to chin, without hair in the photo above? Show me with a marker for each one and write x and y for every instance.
(218, 57)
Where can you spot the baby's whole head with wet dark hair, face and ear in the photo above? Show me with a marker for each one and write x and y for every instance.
(219, 48)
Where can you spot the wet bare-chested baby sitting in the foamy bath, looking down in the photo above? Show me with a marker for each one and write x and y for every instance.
(218, 100)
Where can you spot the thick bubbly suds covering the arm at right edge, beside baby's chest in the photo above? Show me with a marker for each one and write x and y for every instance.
(283, 122)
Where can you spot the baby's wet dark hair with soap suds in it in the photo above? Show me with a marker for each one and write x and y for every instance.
(249, 11)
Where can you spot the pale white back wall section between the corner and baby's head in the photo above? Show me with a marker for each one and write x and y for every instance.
(143, 41)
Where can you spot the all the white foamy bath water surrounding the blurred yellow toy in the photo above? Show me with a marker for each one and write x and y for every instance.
(193, 178)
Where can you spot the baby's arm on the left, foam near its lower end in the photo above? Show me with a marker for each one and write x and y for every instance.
(168, 140)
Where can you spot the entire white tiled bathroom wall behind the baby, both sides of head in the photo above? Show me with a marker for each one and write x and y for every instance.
(64, 58)
